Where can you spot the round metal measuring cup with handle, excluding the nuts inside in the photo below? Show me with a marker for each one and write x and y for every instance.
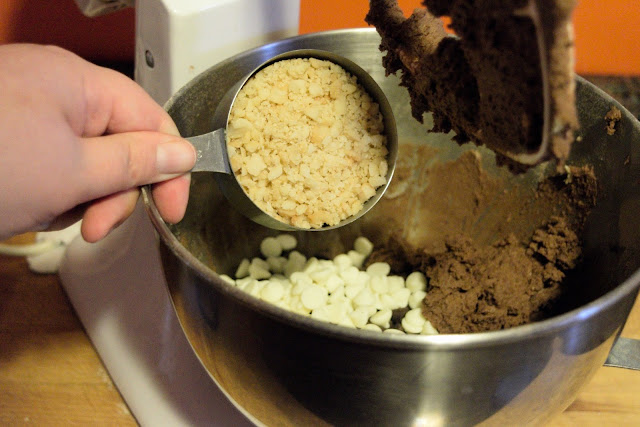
(212, 154)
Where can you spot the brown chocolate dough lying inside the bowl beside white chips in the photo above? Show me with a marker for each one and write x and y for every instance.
(490, 278)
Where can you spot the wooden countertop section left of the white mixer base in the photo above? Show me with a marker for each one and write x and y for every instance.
(50, 374)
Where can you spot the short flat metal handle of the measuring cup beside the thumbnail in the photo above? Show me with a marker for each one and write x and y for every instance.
(211, 152)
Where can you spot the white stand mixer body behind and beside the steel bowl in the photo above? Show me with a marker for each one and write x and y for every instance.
(117, 286)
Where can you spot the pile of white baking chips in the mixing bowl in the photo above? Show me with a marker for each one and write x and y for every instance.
(338, 291)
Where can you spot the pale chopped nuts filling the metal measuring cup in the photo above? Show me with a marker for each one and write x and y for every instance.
(307, 143)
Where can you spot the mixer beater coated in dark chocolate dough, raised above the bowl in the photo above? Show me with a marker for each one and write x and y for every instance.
(507, 73)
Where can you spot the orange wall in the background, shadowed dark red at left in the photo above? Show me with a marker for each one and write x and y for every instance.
(607, 32)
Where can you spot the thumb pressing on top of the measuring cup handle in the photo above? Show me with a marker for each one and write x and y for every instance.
(119, 162)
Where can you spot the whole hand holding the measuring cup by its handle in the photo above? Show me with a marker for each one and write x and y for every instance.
(78, 140)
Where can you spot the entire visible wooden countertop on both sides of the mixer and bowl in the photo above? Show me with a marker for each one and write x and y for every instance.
(51, 374)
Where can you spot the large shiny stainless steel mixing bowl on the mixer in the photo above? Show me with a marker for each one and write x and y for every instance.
(284, 369)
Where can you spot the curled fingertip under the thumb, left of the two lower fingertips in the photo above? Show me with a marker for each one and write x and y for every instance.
(105, 214)
